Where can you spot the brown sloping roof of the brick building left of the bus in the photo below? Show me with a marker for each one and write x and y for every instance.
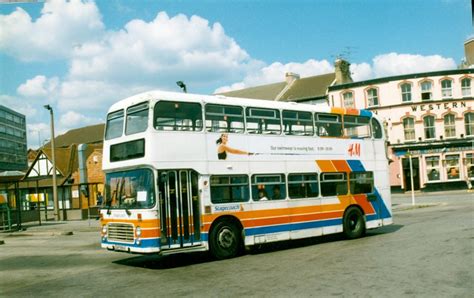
(84, 135)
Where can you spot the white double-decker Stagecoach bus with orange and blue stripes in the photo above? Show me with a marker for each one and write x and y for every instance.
(191, 172)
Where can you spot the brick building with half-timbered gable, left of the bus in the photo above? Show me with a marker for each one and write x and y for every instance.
(79, 174)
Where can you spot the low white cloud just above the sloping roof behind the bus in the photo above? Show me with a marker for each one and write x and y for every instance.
(276, 73)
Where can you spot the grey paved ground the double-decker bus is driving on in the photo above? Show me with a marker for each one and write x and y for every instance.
(427, 252)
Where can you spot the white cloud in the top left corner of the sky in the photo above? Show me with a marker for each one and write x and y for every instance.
(61, 27)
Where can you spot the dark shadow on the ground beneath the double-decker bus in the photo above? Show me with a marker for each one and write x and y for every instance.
(156, 262)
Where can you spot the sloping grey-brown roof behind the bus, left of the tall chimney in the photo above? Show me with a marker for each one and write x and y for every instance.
(314, 87)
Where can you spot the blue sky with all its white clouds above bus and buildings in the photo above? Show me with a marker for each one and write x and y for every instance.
(82, 56)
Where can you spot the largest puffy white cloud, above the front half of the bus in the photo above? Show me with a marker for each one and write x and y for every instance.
(161, 52)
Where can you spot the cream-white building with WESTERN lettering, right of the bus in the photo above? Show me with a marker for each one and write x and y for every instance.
(429, 116)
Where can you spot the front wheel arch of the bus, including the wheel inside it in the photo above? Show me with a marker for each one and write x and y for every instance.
(226, 237)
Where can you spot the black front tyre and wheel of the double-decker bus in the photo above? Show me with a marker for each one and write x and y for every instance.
(224, 240)
